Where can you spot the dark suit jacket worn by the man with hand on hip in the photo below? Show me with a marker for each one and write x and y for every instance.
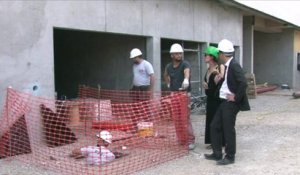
(237, 84)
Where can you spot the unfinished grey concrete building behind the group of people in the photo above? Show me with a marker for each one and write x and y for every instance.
(50, 47)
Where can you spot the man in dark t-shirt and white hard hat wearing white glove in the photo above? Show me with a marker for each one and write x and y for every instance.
(177, 78)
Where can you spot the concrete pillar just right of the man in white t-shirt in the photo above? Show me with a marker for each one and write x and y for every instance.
(154, 57)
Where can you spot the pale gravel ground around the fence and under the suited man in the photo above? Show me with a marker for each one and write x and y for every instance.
(267, 144)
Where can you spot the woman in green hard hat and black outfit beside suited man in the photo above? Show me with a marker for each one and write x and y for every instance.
(211, 84)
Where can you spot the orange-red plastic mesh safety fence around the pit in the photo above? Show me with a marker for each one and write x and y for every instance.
(144, 129)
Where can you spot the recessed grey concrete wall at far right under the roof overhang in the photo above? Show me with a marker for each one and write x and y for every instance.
(273, 57)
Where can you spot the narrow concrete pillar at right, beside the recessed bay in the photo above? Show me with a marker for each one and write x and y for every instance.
(248, 35)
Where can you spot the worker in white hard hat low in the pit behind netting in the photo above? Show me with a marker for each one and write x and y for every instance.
(97, 155)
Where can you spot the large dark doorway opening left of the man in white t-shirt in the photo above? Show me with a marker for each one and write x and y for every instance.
(92, 58)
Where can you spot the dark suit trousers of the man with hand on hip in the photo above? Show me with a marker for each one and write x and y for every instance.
(224, 123)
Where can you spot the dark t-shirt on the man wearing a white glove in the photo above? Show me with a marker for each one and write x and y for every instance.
(177, 75)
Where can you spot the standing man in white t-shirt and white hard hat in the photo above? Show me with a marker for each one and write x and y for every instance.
(143, 74)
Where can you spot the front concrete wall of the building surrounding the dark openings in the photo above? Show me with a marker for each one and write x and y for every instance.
(27, 55)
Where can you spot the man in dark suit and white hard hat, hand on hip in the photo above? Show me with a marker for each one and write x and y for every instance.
(234, 99)
